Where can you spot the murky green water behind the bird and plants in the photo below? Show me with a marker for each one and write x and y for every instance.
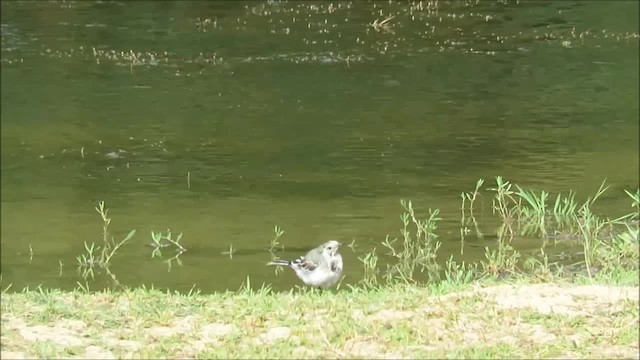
(301, 115)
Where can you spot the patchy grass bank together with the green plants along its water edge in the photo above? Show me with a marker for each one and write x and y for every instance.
(410, 306)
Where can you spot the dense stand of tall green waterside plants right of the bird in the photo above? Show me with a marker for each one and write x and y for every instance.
(607, 244)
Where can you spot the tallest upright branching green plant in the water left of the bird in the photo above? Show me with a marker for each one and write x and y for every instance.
(100, 255)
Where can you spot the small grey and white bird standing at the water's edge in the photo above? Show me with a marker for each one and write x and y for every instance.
(320, 267)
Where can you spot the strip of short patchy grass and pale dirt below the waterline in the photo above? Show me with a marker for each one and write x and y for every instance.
(484, 319)
